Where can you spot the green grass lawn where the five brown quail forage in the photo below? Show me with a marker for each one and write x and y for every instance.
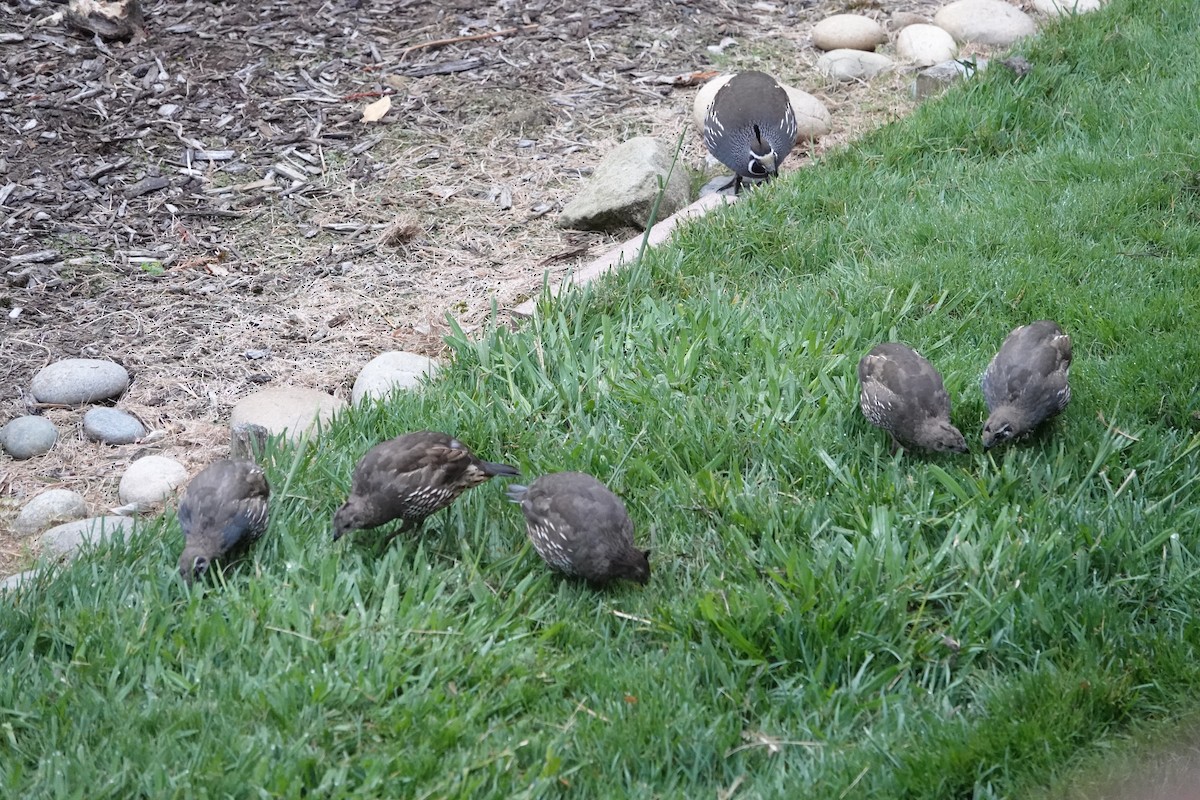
(824, 619)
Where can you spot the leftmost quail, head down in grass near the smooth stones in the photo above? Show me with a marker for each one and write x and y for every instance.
(223, 510)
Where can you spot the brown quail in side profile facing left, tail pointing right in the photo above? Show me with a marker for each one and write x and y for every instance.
(410, 478)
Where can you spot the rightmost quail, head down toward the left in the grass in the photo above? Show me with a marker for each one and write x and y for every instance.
(1027, 382)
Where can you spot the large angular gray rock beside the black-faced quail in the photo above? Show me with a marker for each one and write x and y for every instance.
(625, 188)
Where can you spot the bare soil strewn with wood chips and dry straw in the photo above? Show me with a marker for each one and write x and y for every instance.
(206, 206)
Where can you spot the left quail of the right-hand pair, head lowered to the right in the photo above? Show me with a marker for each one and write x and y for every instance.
(903, 394)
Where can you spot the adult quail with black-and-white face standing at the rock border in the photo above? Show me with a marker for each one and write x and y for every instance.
(751, 127)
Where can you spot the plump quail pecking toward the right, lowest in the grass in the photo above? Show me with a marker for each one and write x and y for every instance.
(581, 528)
